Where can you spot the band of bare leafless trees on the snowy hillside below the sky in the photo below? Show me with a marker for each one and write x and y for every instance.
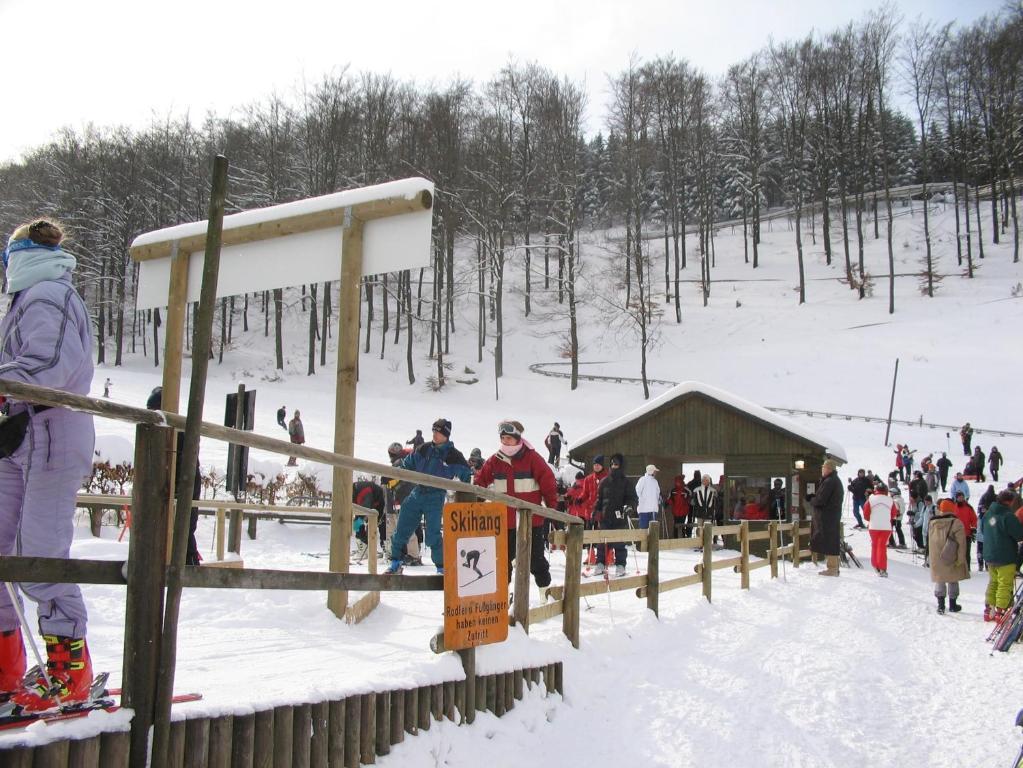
(807, 129)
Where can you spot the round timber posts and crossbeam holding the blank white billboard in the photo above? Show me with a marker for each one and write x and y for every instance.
(352, 219)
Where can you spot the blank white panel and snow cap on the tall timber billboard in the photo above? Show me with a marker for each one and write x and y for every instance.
(389, 245)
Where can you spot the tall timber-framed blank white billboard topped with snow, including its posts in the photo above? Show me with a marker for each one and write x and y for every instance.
(345, 236)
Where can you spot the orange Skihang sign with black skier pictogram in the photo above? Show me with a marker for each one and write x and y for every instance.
(476, 569)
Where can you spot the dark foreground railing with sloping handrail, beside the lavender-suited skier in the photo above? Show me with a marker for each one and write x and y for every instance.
(149, 663)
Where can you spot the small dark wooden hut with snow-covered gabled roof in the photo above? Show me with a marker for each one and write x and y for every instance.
(694, 424)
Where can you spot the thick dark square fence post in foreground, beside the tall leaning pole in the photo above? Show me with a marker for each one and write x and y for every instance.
(147, 579)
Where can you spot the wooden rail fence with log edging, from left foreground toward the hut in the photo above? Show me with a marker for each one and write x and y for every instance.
(224, 742)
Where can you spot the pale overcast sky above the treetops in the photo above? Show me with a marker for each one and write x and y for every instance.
(70, 63)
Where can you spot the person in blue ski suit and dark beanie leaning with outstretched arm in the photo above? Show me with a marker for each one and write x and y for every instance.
(440, 459)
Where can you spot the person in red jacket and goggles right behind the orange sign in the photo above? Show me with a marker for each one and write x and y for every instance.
(519, 471)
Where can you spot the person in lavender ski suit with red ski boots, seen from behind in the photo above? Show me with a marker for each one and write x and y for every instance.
(46, 341)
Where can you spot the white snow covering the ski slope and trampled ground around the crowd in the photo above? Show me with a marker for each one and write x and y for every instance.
(796, 672)
